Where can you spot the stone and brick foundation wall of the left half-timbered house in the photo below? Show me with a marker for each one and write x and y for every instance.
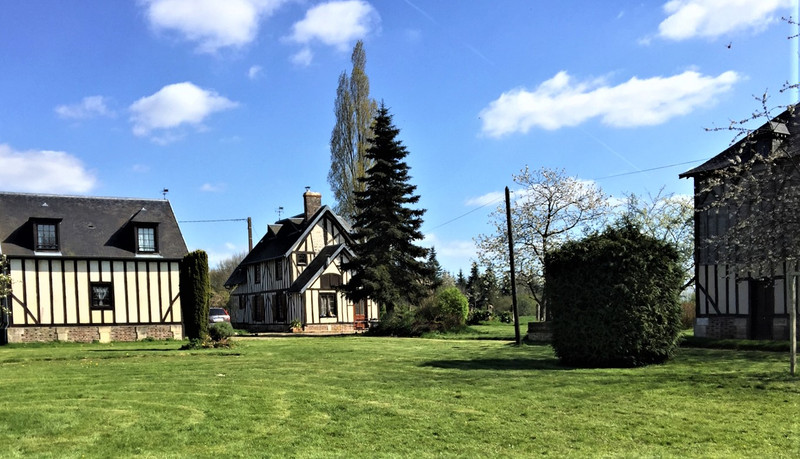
(91, 333)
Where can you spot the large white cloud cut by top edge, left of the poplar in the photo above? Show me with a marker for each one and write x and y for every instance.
(212, 24)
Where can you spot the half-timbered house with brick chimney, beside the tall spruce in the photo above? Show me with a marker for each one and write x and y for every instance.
(292, 275)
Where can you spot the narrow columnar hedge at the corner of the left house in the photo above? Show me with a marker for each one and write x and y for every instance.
(195, 293)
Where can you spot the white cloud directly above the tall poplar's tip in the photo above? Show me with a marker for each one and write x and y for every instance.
(337, 23)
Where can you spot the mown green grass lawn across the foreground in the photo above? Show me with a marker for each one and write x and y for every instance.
(373, 397)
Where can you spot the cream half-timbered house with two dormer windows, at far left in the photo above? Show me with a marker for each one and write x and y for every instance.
(90, 269)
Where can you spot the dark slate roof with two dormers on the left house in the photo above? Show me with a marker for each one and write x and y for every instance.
(89, 227)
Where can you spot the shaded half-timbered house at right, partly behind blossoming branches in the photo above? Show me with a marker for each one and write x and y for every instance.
(730, 302)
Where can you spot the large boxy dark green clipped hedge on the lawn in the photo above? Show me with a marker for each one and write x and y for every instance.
(615, 299)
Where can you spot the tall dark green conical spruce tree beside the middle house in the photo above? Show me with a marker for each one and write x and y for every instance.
(388, 267)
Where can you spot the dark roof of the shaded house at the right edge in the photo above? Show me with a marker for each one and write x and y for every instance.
(782, 126)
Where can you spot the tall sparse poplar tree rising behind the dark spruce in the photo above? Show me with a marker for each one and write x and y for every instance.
(354, 112)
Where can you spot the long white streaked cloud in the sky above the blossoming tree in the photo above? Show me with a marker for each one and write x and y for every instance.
(561, 101)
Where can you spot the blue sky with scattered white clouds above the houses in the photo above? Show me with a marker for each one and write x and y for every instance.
(229, 104)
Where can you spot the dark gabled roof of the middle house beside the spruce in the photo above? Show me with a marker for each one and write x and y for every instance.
(282, 239)
